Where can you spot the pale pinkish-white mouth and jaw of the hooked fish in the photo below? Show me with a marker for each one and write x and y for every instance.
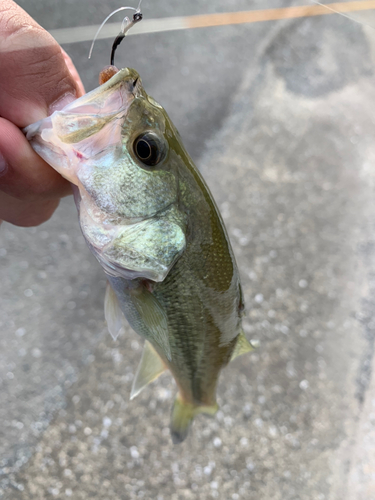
(85, 127)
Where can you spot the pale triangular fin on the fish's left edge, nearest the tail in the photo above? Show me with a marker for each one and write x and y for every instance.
(150, 367)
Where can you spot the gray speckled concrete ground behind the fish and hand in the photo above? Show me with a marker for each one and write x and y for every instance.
(279, 118)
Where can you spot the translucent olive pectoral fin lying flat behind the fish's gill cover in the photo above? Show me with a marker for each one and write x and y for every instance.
(154, 318)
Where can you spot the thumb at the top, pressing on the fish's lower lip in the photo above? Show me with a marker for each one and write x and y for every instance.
(34, 75)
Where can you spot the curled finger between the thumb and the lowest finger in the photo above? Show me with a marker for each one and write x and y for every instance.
(24, 174)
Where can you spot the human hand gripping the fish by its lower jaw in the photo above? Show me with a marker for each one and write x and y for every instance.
(36, 78)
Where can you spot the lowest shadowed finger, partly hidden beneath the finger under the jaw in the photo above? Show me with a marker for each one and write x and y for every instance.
(26, 213)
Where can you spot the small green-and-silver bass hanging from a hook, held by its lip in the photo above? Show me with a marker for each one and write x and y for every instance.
(149, 218)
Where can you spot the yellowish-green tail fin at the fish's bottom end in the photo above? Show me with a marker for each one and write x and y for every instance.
(182, 416)
